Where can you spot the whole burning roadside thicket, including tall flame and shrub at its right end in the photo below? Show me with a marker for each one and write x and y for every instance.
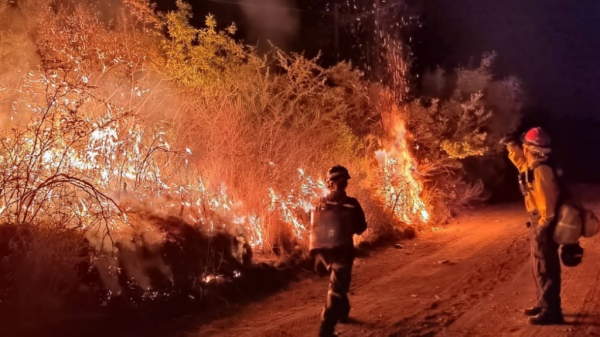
(151, 141)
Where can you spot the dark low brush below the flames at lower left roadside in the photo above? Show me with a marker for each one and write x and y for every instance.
(49, 274)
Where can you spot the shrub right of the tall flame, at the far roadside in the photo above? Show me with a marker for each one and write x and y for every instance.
(462, 115)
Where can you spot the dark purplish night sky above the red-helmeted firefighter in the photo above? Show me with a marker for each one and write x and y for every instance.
(552, 45)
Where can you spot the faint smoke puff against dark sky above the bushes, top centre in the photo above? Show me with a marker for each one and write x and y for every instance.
(273, 20)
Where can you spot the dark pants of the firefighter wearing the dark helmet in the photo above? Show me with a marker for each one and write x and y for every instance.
(339, 266)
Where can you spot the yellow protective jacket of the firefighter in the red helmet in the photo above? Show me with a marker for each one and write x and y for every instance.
(542, 192)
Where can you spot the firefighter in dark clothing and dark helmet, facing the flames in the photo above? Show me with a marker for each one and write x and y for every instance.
(341, 215)
